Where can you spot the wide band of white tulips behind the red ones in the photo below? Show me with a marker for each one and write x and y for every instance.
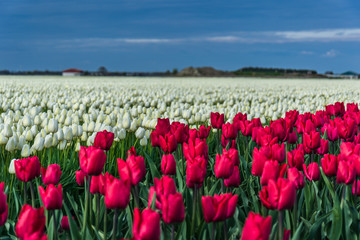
(44, 112)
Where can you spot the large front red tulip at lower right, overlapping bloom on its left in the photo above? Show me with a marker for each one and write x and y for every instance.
(282, 193)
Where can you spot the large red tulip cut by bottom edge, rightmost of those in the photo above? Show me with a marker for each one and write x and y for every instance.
(256, 227)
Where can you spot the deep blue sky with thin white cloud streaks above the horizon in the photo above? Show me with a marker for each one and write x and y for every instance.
(154, 35)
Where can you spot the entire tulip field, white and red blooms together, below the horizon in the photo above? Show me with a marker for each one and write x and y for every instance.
(145, 158)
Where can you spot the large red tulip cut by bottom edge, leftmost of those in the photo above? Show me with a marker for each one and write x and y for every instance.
(31, 220)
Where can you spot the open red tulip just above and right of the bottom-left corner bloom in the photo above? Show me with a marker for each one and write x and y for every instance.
(52, 197)
